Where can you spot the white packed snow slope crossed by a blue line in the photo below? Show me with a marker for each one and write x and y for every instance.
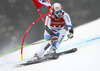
(87, 58)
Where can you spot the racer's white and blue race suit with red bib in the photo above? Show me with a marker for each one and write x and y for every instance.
(57, 26)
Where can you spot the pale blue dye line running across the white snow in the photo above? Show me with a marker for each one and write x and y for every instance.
(63, 48)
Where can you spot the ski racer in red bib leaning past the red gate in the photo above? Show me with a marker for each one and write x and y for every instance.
(54, 30)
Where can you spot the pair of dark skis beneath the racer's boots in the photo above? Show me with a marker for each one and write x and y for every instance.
(49, 57)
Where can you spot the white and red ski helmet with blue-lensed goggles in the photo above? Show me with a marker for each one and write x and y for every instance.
(57, 8)
